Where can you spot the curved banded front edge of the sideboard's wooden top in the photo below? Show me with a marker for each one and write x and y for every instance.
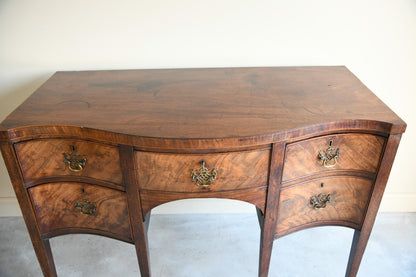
(206, 145)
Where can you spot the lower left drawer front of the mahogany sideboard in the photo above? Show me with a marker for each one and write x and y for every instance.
(82, 207)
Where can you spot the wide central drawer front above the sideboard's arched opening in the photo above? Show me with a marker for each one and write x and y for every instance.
(173, 172)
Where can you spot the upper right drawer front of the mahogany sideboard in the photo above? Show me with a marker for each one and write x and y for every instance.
(347, 152)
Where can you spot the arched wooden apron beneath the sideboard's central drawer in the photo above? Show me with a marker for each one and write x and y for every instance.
(151, 199)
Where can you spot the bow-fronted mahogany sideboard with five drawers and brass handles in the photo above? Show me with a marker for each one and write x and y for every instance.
(94, 151)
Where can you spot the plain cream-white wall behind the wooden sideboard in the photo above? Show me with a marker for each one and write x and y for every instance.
(376, 40)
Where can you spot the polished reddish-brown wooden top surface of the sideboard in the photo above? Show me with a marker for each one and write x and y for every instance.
(202, 103)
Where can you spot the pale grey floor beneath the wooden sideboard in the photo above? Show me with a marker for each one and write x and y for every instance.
(217, 245)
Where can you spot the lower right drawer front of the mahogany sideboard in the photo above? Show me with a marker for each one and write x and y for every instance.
(308, 203)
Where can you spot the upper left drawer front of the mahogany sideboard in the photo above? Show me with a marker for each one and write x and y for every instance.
(45, 158)
